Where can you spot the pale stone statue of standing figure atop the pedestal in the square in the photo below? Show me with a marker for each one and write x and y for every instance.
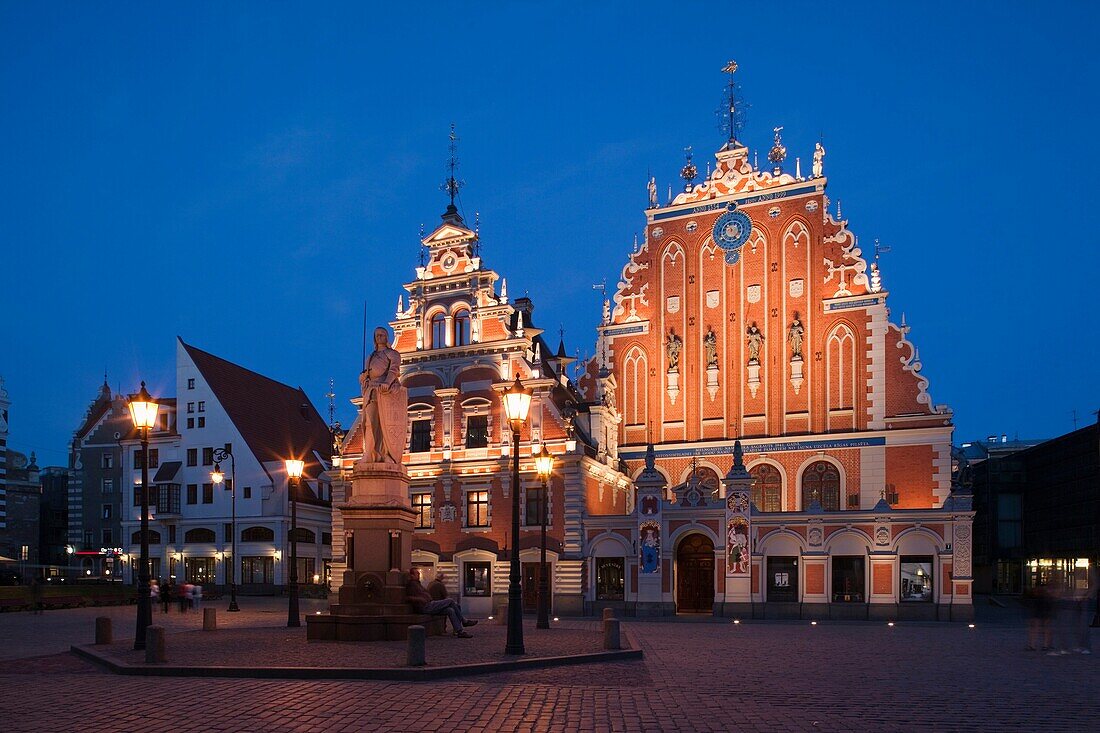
(386, 404)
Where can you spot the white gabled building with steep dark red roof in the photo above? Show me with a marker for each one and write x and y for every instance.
(261, 422)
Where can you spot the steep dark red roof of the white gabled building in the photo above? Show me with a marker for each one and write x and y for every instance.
(278, 421)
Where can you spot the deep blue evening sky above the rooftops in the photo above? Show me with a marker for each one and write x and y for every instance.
(246, 178)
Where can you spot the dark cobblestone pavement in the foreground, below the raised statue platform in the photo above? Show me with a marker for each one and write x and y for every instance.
(696, 677)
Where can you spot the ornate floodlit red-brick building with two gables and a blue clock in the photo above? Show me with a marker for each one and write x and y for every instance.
(754, 436)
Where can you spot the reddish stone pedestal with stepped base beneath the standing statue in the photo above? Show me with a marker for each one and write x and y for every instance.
(379, 524)
